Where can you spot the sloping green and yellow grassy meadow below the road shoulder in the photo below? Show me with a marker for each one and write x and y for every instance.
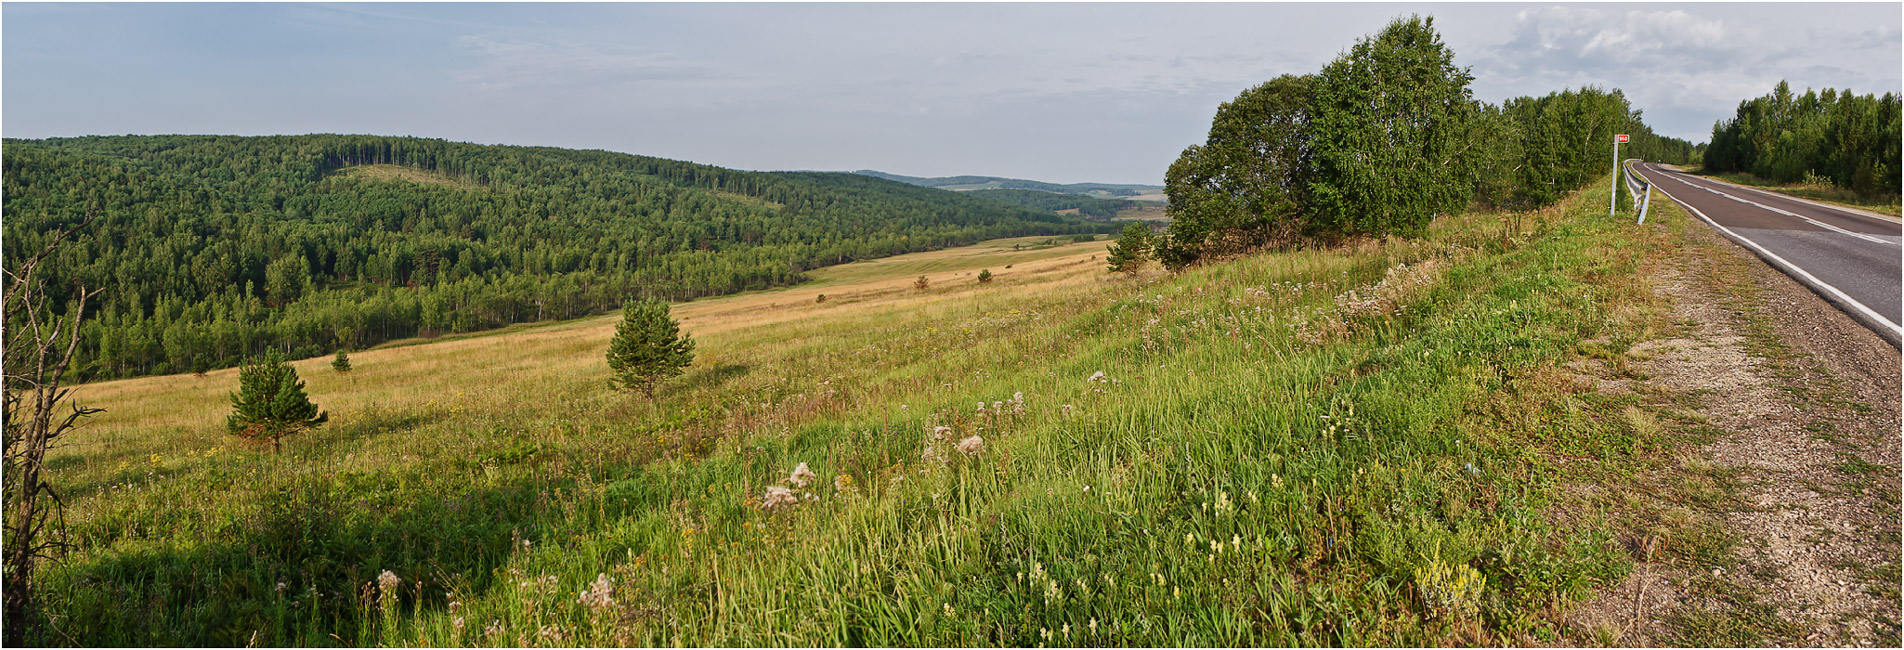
(1366, 445)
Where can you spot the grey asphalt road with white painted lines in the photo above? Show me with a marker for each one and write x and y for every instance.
(1850, 258)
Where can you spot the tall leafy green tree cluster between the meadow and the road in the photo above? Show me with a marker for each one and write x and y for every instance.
(1381, 142)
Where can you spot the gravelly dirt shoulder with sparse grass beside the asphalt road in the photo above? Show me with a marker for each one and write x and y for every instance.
(1802, 542)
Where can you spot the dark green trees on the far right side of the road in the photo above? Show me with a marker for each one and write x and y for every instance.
(1831, 136)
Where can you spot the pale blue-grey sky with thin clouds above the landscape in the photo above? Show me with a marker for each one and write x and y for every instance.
(1054, 92)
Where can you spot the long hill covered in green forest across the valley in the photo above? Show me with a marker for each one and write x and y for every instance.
(212, 249)
